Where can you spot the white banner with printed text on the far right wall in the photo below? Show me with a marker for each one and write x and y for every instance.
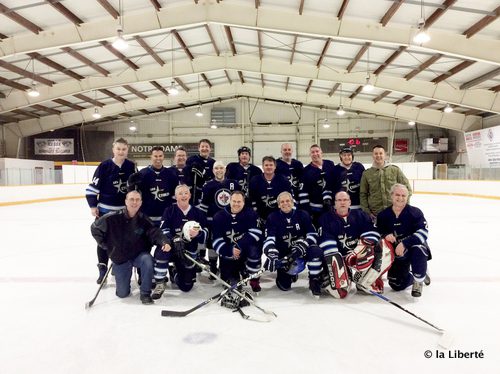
(483, 147)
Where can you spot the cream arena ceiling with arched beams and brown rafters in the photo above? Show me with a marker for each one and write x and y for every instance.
(309, 52)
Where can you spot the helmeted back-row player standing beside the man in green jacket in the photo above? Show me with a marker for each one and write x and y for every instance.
(347, 176)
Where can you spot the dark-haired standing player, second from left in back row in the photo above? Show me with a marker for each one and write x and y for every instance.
(155, 184)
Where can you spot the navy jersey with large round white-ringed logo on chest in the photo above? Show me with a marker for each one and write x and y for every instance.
(216, 195)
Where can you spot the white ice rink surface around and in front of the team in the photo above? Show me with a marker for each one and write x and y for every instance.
(48, 271)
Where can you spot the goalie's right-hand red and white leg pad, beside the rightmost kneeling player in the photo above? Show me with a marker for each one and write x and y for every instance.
(383, 256)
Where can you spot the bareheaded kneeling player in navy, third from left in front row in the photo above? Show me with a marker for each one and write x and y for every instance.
(237, 240)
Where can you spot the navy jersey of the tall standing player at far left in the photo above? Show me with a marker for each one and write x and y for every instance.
(109, 185)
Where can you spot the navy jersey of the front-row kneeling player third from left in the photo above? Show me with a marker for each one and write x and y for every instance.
(230, 230)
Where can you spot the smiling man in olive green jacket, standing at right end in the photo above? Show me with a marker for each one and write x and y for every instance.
(376, 183)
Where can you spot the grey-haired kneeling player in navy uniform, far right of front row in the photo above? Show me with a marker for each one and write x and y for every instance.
(405, 226)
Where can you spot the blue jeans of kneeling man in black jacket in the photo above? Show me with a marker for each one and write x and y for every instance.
(123, 274)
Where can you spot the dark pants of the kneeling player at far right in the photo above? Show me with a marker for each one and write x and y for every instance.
(399, 274)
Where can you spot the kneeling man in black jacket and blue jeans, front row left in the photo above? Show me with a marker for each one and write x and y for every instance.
(128, 235)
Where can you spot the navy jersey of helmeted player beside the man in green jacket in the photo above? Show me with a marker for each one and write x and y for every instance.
(348, 180)
